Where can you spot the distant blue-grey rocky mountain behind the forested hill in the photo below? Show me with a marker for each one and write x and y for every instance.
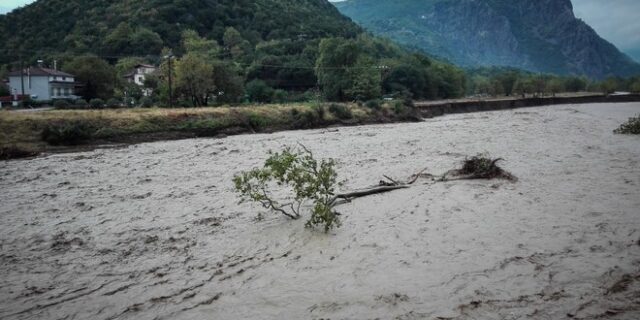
(536, 35)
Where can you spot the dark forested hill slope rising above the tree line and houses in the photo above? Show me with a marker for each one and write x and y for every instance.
(97, 26)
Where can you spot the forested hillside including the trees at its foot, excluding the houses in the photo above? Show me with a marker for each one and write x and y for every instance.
(223, 50)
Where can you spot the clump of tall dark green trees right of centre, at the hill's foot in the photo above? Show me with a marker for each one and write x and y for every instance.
(363, 68)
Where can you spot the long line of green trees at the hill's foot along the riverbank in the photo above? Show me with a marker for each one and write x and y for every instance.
(207, 73)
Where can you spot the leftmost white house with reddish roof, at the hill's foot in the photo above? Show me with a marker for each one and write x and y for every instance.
(42, 84)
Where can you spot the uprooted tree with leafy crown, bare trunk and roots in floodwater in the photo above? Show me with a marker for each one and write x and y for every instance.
(291, 179)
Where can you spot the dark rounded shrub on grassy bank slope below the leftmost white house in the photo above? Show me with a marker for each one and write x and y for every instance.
(67, 133)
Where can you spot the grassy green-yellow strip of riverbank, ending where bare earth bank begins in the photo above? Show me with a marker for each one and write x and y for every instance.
(49, 130)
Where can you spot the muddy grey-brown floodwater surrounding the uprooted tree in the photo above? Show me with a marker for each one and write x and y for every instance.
(154, 231)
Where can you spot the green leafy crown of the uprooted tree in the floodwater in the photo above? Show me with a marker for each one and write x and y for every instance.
(308, 179)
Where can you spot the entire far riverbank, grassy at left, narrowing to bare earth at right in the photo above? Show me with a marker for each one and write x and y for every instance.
(28, 134)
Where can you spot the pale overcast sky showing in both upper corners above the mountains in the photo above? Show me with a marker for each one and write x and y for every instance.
(615, 20)
